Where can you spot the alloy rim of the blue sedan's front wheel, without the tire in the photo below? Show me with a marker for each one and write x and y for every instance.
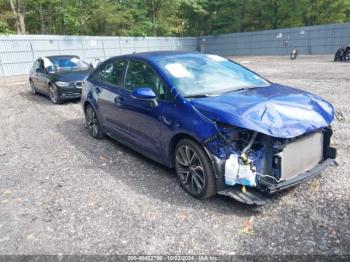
(190, 169)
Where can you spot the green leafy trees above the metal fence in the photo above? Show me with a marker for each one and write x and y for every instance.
(167, 17)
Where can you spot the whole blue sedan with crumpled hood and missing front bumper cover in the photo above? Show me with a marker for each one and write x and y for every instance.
(222, 127)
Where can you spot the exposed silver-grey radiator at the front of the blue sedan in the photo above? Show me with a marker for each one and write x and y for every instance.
(301, 155)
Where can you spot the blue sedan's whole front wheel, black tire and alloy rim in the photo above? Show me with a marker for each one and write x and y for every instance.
(194, 169)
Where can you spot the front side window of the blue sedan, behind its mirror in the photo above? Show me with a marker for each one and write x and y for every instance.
(140, 74)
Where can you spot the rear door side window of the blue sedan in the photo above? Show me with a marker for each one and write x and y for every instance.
(112, 72)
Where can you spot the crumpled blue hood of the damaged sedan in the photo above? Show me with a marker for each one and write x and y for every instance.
(276, 110)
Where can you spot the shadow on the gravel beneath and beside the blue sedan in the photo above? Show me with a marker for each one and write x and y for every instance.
(140, 173)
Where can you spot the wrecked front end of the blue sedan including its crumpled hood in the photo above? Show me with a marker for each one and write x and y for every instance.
(266, 139)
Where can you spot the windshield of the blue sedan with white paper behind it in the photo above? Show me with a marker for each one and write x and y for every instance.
(197, 75)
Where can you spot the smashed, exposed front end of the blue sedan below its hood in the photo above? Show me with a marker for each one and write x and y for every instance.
(250, 165)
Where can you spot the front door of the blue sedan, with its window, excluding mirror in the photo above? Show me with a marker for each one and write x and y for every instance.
(142, 117)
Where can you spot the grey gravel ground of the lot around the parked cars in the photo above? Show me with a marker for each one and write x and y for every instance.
(61, 191)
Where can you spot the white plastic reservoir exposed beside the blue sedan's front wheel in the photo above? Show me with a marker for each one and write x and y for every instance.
(236, 173)
